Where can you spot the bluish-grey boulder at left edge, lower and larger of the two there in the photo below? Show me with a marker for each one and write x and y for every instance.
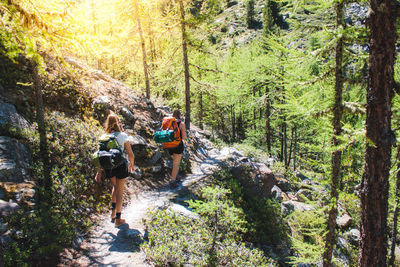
(14, 161)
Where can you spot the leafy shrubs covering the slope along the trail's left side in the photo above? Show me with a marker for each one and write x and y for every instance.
(44, 231)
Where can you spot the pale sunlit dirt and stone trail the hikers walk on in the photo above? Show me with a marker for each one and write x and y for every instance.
(108, 245)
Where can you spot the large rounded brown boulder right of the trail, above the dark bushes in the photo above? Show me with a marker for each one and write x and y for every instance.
(256, 178)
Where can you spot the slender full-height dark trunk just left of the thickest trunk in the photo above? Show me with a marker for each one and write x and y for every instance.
(337, 130)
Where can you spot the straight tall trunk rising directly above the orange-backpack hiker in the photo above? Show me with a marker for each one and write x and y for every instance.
(185, 65)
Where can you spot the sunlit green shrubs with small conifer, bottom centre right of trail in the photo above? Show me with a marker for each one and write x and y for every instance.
(213, 238)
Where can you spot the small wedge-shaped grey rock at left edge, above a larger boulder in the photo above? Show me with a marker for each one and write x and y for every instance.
(10, 118)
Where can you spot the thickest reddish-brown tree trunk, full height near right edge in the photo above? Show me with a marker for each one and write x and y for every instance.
(375, 180)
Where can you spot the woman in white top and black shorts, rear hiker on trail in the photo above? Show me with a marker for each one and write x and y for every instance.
(120, 172)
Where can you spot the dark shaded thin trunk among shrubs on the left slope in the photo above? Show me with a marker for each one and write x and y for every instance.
(45, 181)
